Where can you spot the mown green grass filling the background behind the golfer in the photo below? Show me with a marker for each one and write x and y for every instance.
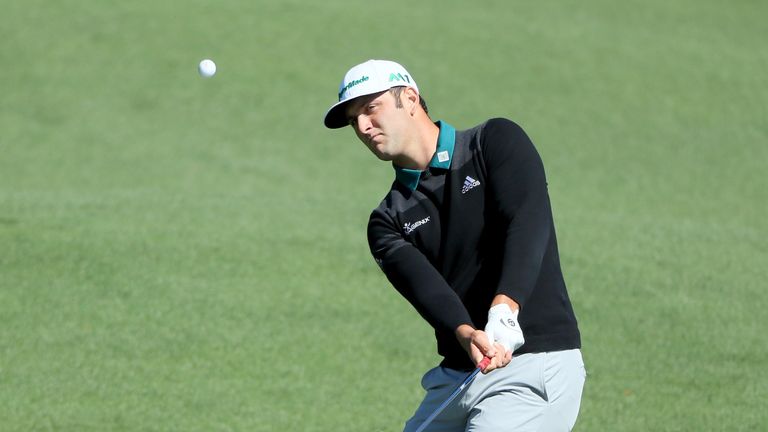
(180, 254)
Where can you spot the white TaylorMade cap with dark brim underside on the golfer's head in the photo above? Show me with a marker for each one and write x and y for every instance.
(366, 78)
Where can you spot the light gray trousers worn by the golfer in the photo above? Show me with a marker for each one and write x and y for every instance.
(535, 392)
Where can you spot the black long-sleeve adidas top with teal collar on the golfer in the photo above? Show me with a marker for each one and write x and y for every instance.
(477, 223)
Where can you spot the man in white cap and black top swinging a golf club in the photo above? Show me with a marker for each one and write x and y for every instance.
(466, 235)
